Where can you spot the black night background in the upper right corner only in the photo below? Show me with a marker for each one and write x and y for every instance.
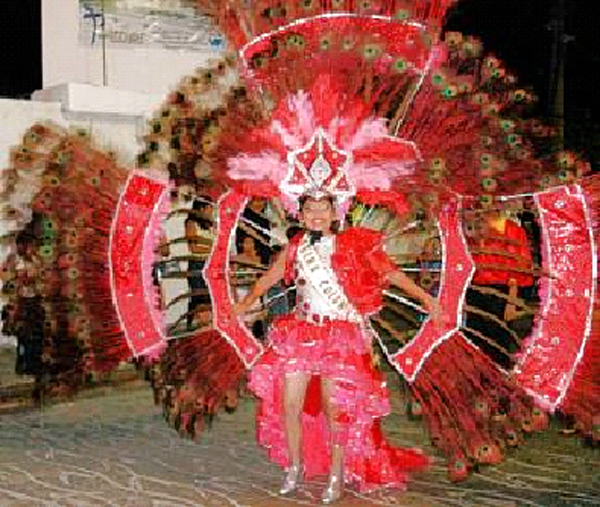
(526, 34)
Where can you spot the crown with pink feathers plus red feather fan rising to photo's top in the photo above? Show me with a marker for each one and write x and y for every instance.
(333, 79)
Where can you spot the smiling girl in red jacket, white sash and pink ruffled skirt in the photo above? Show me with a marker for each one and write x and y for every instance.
(327, 343)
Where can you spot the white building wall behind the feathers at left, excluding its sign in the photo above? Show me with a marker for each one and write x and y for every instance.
(110, 89)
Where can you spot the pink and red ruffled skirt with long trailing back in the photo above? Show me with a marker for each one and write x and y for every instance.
(337, 351)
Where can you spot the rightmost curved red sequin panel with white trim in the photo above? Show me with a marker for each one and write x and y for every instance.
(553, 351)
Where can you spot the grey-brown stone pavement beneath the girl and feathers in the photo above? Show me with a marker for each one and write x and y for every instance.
(115, 450)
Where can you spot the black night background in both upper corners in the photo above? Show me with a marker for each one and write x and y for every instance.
(523, 33)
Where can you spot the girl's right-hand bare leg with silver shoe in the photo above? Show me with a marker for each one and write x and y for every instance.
(334, 483)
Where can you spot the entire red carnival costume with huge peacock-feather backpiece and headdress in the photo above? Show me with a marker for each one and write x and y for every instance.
(365, 101)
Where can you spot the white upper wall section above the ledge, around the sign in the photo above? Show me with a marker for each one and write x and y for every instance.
(149, 68)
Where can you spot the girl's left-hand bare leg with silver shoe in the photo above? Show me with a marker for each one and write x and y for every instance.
(293, 401)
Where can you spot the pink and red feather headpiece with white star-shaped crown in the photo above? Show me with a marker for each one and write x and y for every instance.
(308, 149)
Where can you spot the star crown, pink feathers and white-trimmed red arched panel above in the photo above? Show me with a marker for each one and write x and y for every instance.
(323, 136)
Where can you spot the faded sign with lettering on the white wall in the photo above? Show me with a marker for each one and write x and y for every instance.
(146, 23)
